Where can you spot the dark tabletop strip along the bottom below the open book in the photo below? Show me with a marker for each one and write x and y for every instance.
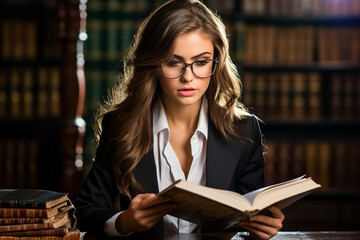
(328, 235)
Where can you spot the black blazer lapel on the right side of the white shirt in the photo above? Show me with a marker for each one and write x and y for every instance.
(221, 158)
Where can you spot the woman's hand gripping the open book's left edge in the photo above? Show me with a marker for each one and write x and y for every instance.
(144, 211)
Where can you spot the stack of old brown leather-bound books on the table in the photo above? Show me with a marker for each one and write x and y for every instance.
(37, 215)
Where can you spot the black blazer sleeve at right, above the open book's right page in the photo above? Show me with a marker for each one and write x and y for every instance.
(252, 176)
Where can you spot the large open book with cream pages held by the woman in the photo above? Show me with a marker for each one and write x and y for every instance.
(219, 209)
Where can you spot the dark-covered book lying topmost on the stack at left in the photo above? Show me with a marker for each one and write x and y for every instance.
(30, 198)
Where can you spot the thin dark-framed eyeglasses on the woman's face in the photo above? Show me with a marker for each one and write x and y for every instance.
(201, 69)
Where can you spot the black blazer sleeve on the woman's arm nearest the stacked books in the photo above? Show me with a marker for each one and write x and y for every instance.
(95, 202)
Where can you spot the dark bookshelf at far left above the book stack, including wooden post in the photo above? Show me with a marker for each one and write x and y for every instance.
(40, 95)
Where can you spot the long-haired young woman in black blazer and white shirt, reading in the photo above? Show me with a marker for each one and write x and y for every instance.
(174, 115)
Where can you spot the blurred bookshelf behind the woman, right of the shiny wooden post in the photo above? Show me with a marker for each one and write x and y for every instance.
(299, 61)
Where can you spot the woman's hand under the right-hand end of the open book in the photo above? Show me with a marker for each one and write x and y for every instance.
(264, 227)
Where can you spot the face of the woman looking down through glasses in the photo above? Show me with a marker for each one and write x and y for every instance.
(188, 89)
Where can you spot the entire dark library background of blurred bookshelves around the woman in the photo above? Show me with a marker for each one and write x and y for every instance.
(298, 60)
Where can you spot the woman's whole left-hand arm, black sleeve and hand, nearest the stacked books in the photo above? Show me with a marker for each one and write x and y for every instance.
(95, 203)
